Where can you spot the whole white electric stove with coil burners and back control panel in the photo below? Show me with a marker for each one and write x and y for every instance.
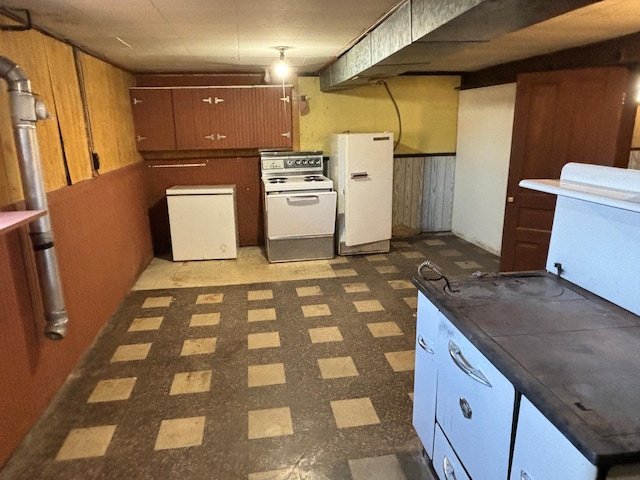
(300, 207)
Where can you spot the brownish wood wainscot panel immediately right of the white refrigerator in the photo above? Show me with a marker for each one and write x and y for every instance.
(407, 195)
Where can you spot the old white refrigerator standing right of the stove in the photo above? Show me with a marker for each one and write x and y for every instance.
(361, 166)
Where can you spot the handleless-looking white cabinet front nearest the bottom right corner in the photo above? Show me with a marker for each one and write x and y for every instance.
(543, 453)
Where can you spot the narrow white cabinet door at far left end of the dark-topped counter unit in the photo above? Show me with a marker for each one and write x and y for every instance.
(426, 373)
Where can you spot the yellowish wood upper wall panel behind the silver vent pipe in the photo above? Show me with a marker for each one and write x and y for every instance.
(27, 49)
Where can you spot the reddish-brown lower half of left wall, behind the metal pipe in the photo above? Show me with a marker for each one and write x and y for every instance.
(103, 244)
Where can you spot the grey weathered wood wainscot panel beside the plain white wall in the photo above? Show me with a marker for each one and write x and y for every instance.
(437, 208)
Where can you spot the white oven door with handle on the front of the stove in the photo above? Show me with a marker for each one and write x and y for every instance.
(300, 214)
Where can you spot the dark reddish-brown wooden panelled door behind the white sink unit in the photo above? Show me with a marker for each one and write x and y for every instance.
(560, 117)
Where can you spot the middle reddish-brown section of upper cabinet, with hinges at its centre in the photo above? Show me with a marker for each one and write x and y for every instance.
(212, 118)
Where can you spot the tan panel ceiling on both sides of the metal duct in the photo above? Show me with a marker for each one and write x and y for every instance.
(172, 36)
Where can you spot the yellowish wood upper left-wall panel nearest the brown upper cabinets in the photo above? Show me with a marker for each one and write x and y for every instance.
(111, 118)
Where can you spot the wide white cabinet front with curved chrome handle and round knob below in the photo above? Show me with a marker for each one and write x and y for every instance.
(475, 405)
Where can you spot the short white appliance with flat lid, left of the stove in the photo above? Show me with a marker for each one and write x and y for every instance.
(203, 223)
